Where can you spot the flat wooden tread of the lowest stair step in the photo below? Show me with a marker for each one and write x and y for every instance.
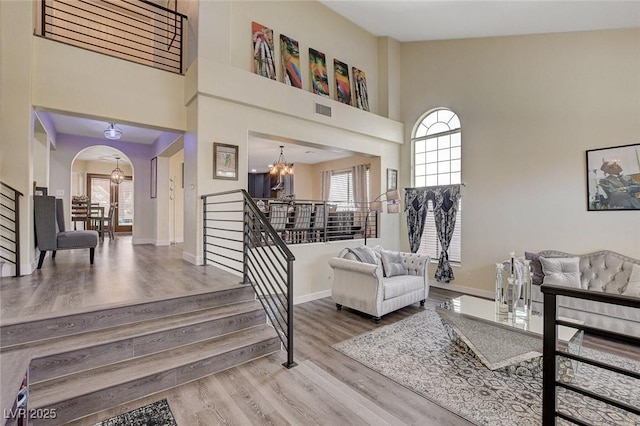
(63, 388)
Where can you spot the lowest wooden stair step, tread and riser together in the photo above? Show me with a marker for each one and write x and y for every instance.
(79, 394)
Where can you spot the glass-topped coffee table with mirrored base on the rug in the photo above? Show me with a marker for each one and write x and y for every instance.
(502, 342)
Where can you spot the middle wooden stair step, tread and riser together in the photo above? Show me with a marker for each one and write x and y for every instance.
(70, 354)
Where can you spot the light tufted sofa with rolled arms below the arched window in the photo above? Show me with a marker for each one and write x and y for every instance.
(379, 283)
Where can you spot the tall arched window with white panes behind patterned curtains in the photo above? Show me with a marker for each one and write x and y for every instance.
(437, 160)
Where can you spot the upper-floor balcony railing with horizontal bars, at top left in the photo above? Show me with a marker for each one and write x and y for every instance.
(135, 30)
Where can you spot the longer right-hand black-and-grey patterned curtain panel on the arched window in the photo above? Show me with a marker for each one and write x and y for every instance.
(445, 210)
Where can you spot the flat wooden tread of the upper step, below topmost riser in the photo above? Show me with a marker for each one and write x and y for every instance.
(120, 332)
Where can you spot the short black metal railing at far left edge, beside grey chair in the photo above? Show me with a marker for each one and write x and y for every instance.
(10, 226)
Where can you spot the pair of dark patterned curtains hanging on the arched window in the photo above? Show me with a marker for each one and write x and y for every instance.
(445, 201)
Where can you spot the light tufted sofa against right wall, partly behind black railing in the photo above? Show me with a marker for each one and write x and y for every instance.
(604, 271)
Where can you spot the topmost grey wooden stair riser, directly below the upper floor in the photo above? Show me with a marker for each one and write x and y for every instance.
(47, 326)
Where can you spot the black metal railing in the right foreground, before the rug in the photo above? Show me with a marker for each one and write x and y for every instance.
(550, 382)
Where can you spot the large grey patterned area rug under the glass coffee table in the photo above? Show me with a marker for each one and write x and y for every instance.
(418, 354)
